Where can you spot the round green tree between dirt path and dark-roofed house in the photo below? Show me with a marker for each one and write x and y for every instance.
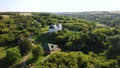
(37, 51)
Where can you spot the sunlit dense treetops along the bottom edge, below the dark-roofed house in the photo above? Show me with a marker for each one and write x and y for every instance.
(77, 60)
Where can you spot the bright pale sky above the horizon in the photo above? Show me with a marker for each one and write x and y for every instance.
(58, 5)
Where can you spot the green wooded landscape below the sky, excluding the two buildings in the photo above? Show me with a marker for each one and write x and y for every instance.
(87, 40)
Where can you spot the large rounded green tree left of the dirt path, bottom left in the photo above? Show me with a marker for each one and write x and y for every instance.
(12, 55)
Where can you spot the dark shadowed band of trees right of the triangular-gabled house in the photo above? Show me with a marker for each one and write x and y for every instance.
(96, 40)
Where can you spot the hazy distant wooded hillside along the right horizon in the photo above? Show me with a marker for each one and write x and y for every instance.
(111, 18)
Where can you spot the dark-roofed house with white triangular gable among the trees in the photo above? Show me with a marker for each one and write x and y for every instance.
(50, 48)
